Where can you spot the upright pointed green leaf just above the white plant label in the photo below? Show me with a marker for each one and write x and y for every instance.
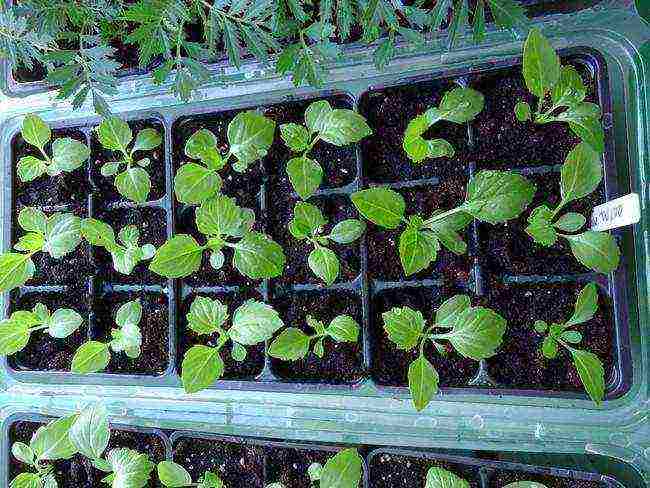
(581, 173)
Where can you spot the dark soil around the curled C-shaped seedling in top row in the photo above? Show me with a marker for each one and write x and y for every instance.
(388, 111)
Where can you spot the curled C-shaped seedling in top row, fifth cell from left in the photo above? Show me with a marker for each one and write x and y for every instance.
(459, 105)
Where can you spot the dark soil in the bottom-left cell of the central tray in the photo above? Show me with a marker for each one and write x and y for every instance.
(44, 352)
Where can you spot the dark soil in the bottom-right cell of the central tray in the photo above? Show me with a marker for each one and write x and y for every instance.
(519, 362)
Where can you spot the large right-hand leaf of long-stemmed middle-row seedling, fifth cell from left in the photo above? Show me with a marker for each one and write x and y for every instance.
(497, 196)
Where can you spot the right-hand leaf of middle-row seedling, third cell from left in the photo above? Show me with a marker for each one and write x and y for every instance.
(257, 256)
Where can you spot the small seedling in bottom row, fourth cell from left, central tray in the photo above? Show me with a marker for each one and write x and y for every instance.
(293, 344)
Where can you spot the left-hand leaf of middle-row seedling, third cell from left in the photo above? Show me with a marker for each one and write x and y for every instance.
(180, 256)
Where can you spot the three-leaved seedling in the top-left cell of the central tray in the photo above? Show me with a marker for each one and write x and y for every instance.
(67, 153)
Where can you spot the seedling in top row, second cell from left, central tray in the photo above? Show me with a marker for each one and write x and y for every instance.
(131, 179)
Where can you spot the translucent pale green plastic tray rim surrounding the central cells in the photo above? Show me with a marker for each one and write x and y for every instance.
(365, 413)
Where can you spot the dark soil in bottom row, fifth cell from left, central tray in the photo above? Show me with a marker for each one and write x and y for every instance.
(389, 365)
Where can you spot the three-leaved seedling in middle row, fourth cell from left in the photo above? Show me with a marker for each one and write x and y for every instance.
(307, 224)
